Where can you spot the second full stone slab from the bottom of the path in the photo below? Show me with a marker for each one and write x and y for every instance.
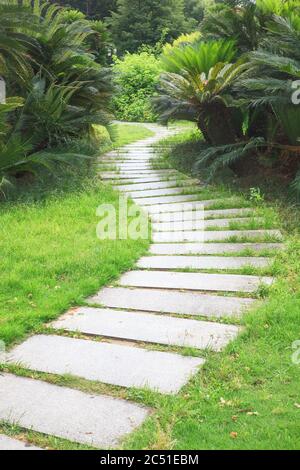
(126, 366)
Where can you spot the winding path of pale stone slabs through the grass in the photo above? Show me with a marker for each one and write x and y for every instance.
(128, 327)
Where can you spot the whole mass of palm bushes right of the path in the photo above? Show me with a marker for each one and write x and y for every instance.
(237, 84)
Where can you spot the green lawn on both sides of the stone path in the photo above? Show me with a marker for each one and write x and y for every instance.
(247, 397)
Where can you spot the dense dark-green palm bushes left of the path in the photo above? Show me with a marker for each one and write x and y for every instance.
(61, 90)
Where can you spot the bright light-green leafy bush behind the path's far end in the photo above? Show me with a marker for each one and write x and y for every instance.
(136, 78)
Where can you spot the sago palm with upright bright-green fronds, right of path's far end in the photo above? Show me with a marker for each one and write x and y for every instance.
(197, 86)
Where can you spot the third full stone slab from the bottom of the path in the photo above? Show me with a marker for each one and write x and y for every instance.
(147, 327)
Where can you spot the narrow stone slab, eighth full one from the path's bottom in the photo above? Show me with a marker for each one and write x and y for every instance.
(210, 235)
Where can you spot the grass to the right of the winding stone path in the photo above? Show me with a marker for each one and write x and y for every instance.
(247, 397)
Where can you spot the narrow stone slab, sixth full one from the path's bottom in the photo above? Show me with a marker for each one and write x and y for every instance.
(201, 262)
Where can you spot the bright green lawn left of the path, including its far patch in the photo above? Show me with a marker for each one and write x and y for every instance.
(50, 257)
